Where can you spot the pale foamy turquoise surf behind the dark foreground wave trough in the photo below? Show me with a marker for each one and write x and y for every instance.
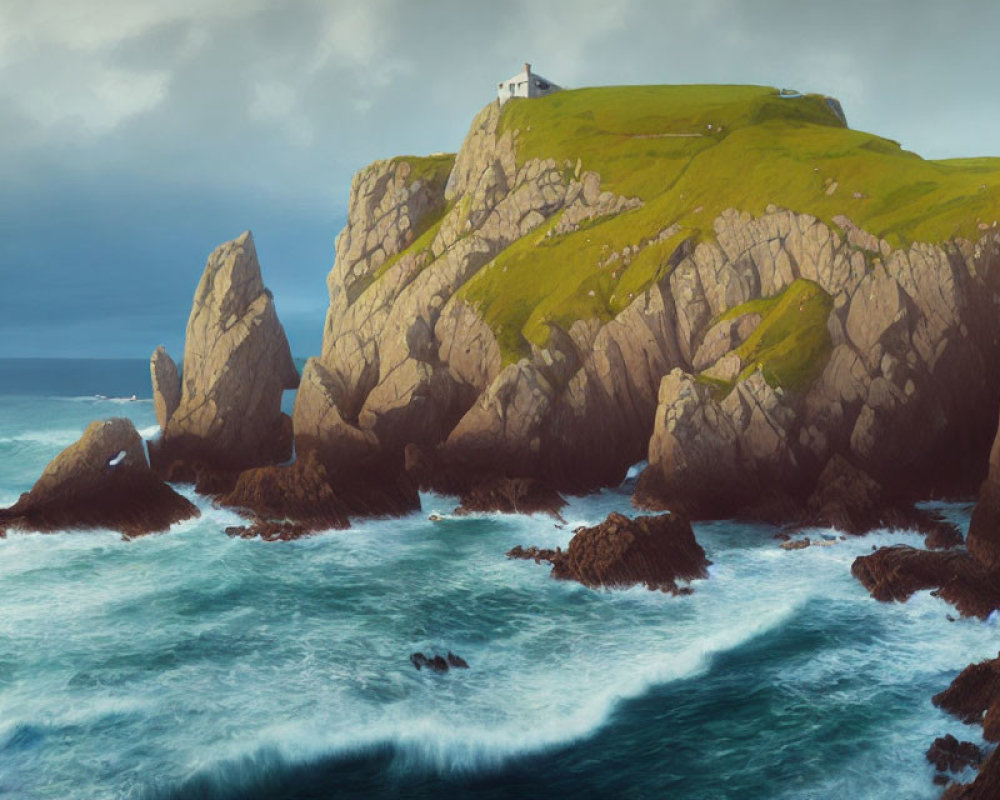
(208, 650)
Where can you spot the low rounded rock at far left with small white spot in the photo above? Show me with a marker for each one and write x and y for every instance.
(101, 481)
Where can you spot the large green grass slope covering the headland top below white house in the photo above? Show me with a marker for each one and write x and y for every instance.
(653, 142)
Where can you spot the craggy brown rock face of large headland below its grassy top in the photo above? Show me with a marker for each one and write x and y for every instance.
(748, 360)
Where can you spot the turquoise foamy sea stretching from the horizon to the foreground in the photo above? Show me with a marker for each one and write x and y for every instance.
(191, 665)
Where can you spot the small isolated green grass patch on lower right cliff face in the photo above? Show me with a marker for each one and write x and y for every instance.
(791, 345)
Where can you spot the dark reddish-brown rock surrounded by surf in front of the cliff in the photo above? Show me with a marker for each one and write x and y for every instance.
(620, 552)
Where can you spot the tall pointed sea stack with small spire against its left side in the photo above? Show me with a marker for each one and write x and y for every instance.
(236, 366)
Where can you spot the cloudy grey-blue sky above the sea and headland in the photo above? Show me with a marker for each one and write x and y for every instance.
(135, 135)
